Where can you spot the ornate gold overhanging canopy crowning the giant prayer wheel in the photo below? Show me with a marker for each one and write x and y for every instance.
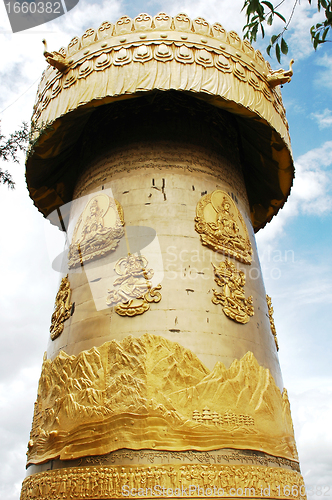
(123, 60)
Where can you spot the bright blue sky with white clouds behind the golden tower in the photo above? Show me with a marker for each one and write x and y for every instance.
(295, 248)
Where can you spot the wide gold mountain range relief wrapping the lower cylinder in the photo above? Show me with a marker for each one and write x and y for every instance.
(142, 393)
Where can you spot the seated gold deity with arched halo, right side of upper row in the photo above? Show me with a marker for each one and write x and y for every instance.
(221, 226)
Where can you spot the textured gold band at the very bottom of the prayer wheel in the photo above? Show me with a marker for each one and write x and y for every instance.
(164, 481)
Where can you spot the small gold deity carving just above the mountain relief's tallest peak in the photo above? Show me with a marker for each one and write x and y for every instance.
(135, 292)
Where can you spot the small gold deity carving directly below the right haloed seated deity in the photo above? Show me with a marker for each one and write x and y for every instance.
(232, 297)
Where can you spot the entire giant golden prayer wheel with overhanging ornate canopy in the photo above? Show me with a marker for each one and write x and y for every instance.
(161, 146)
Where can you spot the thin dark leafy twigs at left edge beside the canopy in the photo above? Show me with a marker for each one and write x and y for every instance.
(9, 148)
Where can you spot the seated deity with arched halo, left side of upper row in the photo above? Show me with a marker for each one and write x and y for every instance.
(97, 231)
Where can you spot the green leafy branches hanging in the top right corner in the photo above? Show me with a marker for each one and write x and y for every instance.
(262, 13)
